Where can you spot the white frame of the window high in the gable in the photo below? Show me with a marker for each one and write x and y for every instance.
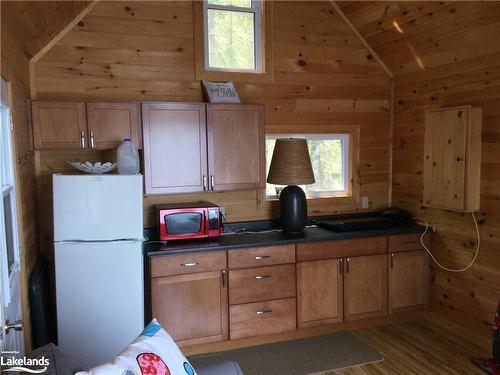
(256, 9)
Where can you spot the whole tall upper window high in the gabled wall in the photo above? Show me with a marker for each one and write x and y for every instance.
(233, 35)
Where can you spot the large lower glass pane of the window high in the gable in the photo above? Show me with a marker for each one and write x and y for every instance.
(231, 40)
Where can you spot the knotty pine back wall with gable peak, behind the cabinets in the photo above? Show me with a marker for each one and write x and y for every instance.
(323, 80)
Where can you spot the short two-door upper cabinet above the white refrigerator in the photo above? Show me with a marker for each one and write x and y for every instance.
(94, 125)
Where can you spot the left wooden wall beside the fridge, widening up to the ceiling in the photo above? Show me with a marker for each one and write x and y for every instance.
(27, 26)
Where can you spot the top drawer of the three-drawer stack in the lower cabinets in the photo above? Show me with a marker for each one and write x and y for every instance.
(261, 256)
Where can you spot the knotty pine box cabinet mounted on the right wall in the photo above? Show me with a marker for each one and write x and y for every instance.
(452, 158)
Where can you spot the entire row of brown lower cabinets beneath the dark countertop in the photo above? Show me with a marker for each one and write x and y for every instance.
(203, 297)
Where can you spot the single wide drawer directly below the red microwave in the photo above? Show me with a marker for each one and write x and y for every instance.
(187, 263)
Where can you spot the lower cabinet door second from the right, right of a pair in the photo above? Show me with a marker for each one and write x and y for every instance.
(365, 287)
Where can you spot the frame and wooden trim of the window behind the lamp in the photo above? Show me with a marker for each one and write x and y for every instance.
(347, 162)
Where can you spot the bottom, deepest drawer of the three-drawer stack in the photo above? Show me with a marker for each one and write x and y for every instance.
(262, 318)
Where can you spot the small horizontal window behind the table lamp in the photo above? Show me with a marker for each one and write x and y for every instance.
(330, 162)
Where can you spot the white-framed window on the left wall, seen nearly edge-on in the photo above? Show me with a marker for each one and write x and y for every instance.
(9, 252)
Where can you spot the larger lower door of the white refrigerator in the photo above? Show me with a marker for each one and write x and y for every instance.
(100, 298)
